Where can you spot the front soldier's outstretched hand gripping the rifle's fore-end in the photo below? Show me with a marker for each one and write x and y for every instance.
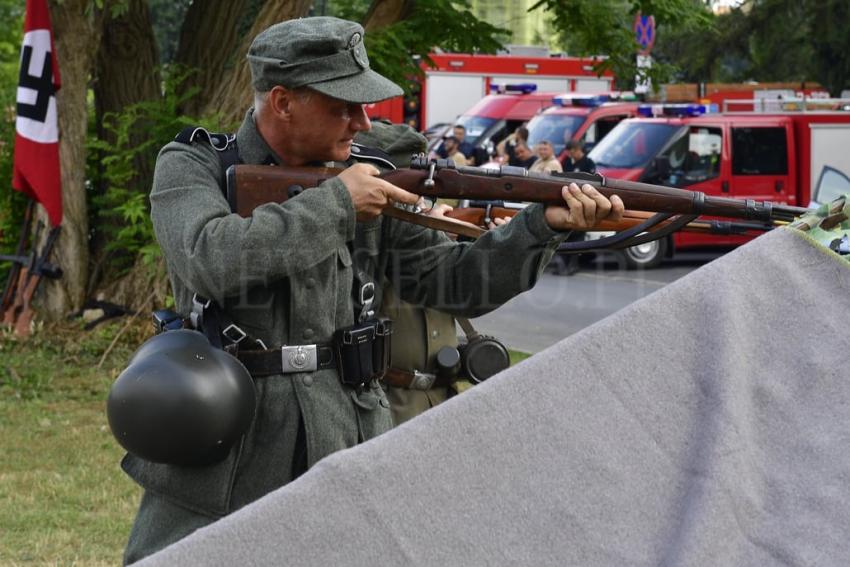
(585, 206)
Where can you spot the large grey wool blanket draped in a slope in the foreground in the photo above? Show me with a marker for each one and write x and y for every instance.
(706, 424)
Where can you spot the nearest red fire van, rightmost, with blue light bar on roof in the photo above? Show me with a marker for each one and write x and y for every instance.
(797, 158)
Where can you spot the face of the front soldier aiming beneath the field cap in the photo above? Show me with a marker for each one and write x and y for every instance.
(325, 127)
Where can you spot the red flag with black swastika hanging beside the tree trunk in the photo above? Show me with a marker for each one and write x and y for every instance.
(36, 167)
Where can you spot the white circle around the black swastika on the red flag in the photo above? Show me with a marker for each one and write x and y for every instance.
(46, 132)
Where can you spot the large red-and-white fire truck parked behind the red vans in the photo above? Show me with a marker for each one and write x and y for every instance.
(458, 81)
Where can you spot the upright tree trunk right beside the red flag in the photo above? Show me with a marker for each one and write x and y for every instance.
(76, 29)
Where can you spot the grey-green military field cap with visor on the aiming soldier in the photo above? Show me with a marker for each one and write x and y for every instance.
(325, 54)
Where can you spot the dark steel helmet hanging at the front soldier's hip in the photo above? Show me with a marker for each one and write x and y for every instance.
(181, 401)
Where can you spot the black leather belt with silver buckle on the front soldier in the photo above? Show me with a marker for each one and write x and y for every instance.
(288, 359)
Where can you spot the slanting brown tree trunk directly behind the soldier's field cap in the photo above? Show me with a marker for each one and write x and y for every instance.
(230, 93)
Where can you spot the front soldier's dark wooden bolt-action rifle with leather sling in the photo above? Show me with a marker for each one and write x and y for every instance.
(249, 186)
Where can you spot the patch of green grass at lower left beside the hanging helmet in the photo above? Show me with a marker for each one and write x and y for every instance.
(63, 497)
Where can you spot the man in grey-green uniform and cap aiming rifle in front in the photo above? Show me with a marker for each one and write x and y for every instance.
(288, 274)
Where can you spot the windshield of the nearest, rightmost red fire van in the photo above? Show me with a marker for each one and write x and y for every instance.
(631, 145)
